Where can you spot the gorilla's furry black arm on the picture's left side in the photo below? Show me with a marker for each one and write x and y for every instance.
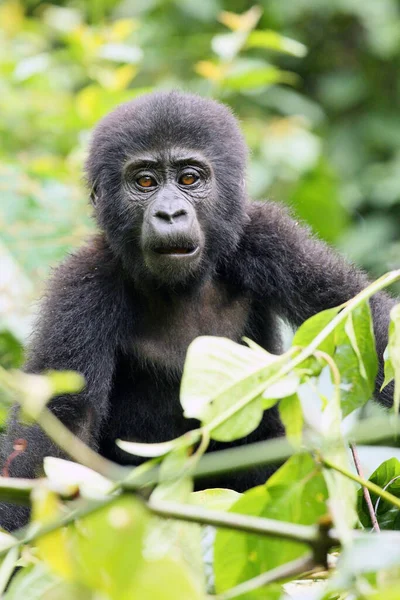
(76, 330)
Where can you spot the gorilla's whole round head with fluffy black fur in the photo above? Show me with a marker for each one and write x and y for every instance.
(167, 175)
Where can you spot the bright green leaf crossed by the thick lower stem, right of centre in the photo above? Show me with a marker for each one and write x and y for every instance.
(295, 493)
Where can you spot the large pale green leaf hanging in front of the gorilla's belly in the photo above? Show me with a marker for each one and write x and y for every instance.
(219, 373)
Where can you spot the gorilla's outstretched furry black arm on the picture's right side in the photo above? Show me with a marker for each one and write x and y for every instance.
(300, 275)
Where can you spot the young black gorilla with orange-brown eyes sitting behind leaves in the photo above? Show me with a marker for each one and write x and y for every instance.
(181, 252)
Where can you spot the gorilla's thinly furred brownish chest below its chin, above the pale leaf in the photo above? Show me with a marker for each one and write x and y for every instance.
(168, 325)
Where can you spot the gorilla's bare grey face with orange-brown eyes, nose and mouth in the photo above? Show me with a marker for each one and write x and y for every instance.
(172, 192)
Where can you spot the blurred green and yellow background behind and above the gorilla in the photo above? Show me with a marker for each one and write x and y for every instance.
(316, 86)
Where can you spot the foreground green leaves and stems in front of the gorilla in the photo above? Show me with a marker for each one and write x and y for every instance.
(107, 542)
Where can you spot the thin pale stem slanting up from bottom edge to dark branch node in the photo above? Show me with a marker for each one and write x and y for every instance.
(286, 571)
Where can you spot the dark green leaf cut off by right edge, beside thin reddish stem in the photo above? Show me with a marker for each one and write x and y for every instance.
(387, 476)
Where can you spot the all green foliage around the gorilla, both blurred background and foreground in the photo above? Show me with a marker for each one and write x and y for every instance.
(314, 86)
